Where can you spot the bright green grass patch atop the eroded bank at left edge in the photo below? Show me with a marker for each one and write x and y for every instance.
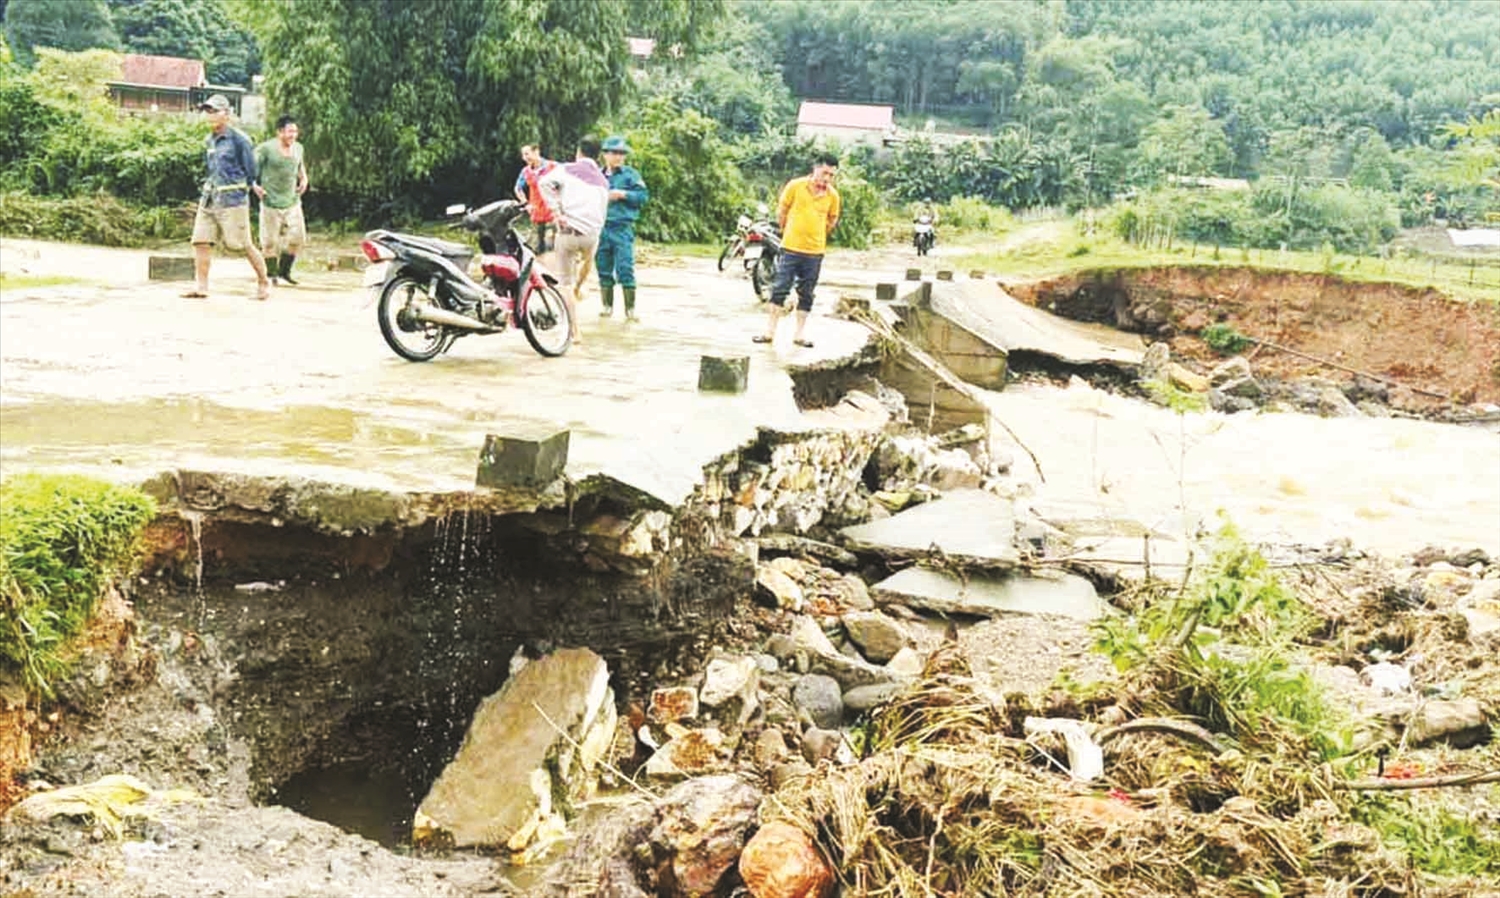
(62, 540)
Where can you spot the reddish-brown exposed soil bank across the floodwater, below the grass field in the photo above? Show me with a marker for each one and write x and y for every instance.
(1418, 338)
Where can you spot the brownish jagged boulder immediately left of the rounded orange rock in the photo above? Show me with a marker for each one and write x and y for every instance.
(703, 827)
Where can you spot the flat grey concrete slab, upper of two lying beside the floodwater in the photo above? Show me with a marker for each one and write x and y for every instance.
(968, 527)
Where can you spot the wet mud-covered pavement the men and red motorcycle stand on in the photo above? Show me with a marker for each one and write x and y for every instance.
(122, 377)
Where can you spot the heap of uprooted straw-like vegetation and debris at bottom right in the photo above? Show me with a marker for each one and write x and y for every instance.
(1228, 768)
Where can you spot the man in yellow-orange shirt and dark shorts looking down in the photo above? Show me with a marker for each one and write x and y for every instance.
(808, 215)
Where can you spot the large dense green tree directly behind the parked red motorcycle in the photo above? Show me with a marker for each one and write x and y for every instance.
(412, 106)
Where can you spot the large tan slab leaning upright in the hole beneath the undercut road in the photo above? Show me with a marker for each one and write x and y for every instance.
(515, 773)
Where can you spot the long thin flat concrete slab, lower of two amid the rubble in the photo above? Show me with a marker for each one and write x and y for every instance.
(986, 597)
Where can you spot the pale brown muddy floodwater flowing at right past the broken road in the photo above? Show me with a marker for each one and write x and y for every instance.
(1390, 485)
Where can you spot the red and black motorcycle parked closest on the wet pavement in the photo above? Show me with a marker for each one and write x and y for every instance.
(428, 299)
